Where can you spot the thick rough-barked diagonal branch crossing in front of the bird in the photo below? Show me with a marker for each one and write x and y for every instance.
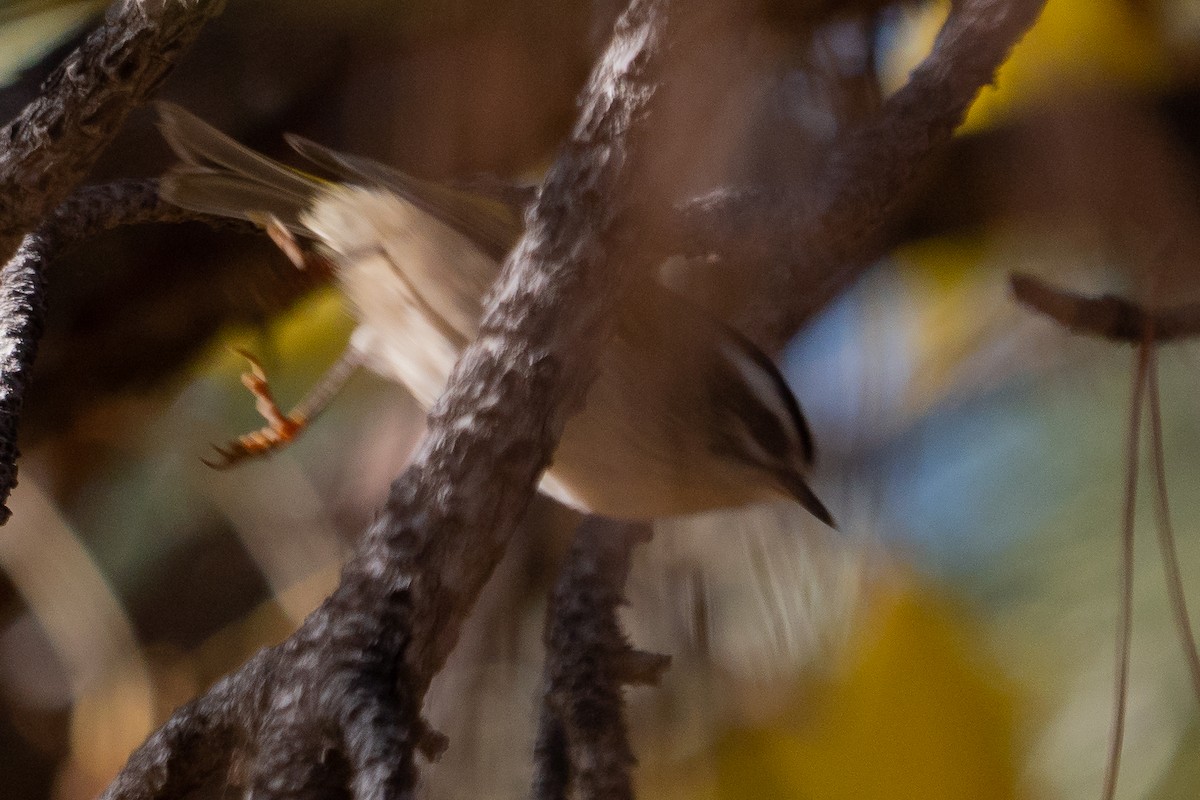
(343, 696)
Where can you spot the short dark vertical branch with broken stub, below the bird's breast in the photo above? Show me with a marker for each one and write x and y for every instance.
(581, 738)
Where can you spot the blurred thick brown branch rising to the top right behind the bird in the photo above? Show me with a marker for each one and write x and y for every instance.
(797, 248)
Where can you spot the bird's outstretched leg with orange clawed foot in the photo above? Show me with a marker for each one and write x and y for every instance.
(283, 429)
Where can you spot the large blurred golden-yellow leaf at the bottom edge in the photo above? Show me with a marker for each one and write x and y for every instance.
(916, 714)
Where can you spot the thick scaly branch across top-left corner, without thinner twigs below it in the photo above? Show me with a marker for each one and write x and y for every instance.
(53, 143)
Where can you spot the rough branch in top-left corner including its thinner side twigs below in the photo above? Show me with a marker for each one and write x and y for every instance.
(47, 151)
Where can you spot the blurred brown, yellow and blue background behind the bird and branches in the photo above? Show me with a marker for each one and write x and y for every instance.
(955, 641)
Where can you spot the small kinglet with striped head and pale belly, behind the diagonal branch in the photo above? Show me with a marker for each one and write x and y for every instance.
(686, 414)
